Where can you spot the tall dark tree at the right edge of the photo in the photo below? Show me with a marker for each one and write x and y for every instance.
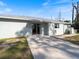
(76, 21)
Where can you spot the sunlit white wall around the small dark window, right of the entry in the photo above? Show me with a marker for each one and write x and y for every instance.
(59, 31)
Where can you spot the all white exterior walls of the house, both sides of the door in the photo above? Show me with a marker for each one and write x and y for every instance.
(14, 29)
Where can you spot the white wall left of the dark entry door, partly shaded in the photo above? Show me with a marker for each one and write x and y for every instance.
(13, 29)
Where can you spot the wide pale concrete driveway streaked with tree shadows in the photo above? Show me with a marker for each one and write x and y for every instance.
(52, 48)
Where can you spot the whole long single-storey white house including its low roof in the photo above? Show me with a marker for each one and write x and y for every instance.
(12, 26)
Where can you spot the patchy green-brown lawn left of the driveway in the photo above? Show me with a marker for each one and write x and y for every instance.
(16, 49)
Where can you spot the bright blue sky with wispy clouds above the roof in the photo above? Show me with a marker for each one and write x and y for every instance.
(37, 8)
